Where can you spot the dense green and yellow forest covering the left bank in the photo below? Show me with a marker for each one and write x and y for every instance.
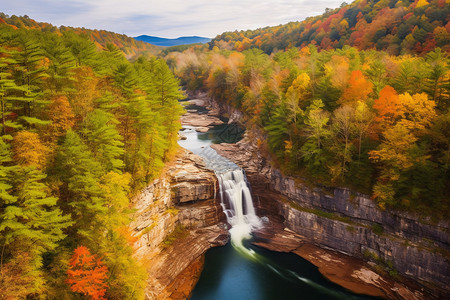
(82, 129)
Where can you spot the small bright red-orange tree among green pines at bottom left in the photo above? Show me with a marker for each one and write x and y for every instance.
(87, 274)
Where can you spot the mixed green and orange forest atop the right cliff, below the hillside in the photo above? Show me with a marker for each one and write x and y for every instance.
(365, 119)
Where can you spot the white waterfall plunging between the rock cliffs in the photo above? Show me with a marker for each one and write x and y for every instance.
(237, 203)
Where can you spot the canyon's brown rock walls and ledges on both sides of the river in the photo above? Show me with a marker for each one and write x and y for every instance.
(354, 243)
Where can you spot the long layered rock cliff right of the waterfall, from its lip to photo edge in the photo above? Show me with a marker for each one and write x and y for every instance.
(348, 222)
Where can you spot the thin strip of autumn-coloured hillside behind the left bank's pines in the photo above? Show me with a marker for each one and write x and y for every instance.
(129, 46)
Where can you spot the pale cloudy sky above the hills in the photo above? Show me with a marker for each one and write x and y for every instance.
(168, 18)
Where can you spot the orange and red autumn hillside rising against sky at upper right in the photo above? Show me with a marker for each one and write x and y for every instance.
(397, 27)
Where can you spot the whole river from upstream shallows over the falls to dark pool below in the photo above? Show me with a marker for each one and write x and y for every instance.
(241, 270)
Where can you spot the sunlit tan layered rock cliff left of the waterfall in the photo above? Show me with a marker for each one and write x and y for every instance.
(177, 220)
